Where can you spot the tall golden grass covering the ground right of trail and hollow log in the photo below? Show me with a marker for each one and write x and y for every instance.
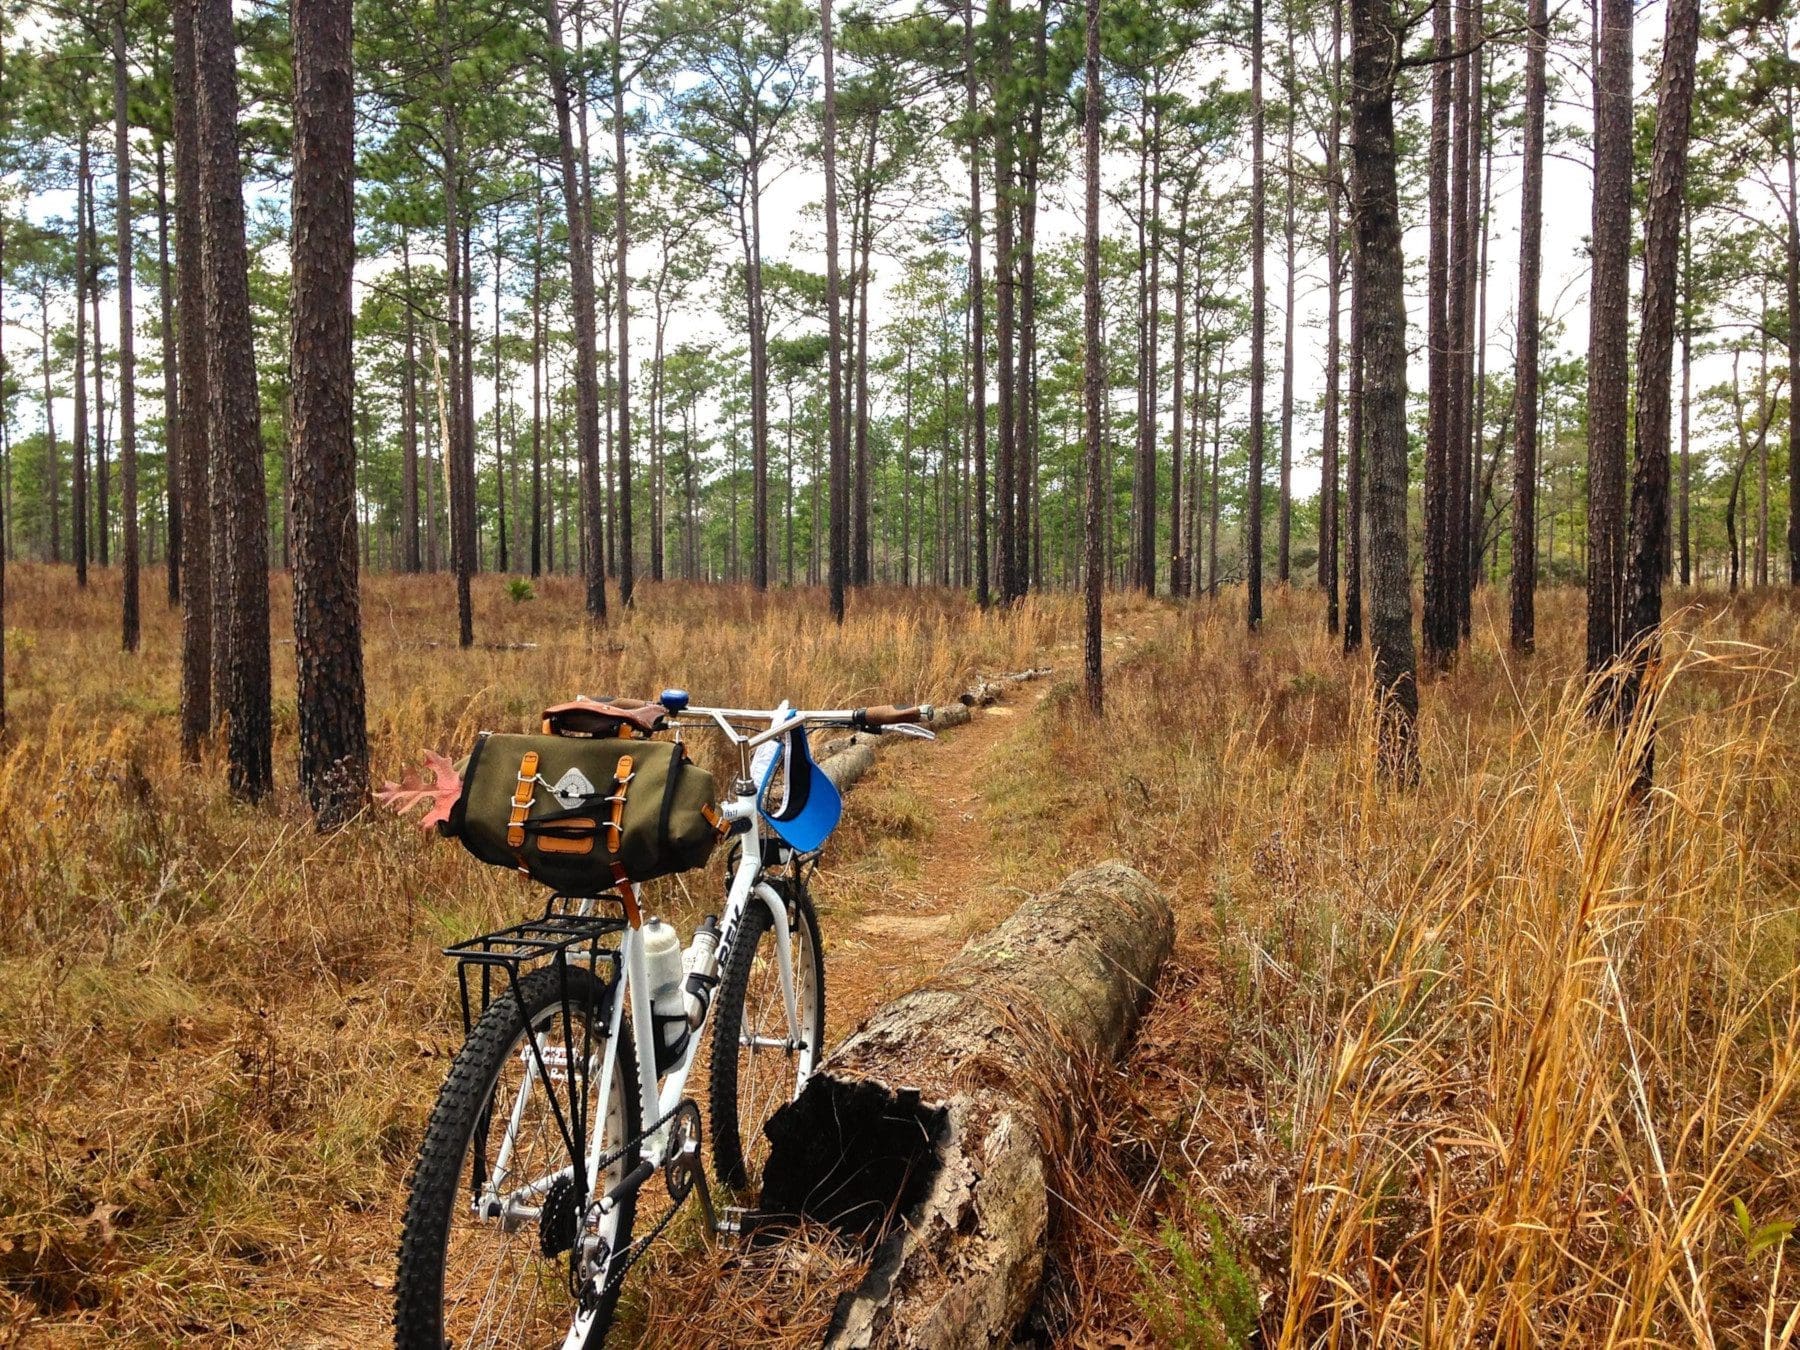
(1504, 1059)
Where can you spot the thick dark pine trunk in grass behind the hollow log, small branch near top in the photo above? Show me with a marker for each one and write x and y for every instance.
(1381, 296)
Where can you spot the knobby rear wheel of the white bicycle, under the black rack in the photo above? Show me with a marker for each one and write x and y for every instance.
(487, 1257)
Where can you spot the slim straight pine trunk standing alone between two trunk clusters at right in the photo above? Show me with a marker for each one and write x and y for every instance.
(1524, 629)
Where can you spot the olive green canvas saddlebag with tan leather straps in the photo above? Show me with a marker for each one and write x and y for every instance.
(548, 805)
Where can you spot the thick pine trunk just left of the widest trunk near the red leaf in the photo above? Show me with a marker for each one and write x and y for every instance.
(233, 411)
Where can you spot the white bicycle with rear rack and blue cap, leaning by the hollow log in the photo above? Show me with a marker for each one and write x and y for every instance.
(532, 1194)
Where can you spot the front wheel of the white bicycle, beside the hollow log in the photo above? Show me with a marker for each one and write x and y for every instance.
(759, 1063)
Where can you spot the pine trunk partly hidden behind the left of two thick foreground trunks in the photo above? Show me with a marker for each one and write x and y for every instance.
(193, 386)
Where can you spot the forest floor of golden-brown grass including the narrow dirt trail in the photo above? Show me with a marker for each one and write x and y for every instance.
(1500, 1057)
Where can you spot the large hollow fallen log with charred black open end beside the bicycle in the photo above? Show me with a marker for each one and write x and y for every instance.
(924, 1135)
